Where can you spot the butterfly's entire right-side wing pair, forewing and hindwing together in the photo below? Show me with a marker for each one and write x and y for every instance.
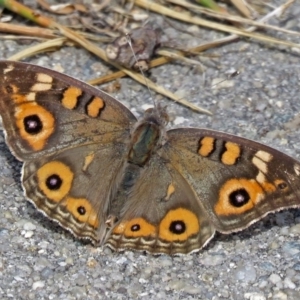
(203, 181)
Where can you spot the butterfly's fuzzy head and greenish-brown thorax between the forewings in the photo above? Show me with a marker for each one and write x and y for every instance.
(147, 136)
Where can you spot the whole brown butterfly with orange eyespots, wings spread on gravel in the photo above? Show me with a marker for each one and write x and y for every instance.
(91, 166)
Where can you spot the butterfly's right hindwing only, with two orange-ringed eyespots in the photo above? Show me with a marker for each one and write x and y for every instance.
(162, 217)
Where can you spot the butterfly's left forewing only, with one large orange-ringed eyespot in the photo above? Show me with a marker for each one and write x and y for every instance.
(44, 111)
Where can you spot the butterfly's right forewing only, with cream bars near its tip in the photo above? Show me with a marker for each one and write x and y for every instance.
(238, 181)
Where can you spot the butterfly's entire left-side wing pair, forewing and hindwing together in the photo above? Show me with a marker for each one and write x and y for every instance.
(73, 140)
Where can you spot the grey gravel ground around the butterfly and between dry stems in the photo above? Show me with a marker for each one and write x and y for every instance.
(39, 260)
